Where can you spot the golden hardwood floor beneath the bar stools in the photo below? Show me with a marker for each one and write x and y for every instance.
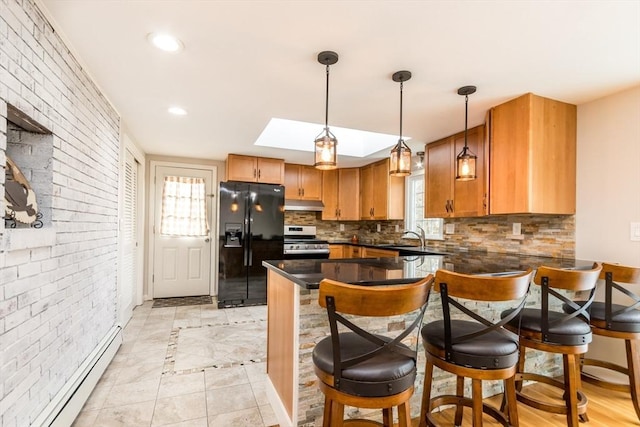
(606, 408)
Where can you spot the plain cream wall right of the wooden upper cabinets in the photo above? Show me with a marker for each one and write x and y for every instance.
(608, 191)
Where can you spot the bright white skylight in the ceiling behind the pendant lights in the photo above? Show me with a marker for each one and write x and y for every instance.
(295, 135)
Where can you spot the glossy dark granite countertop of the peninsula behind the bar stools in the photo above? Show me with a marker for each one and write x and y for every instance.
(405, 269)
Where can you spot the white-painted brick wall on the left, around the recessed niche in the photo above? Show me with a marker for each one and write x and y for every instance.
(57, 289)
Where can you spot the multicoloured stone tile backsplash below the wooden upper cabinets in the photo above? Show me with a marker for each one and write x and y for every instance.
(542, 235)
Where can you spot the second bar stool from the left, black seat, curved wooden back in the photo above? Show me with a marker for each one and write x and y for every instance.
(478, 348)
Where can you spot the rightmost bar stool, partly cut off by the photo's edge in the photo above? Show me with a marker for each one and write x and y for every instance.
(618, 321)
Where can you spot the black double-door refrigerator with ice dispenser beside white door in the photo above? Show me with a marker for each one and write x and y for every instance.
(251, 230)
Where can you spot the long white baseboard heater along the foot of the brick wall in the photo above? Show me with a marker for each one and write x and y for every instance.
(66, 405)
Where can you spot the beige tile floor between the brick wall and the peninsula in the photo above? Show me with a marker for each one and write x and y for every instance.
(193, 366)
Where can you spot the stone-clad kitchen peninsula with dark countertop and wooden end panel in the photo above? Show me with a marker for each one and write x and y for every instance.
(296, 322)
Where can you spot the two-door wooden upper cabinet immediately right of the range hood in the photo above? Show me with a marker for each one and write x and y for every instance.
(340, 191)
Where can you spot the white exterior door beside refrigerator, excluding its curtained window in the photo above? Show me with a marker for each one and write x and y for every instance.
(181, 263)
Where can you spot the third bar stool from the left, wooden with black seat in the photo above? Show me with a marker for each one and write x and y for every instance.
(548, 330)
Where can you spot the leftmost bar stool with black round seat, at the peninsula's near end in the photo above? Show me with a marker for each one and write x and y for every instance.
(363, 369)
